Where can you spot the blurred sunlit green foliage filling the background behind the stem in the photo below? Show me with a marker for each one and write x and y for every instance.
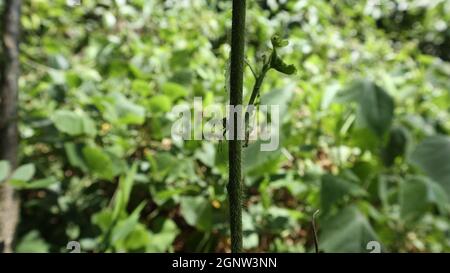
(364, 135)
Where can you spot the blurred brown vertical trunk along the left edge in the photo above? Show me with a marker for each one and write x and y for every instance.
(9, 203)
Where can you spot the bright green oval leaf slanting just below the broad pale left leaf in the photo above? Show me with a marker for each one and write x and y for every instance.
(98, 162)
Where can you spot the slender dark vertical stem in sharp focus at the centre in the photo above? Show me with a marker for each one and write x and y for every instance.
(234, 144)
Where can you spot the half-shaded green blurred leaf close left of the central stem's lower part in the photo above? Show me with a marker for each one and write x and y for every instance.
(197, 211)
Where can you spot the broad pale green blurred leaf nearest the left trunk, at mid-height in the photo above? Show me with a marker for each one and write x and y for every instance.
(73, 123)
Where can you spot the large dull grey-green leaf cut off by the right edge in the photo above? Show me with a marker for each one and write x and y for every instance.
(432, 155)
